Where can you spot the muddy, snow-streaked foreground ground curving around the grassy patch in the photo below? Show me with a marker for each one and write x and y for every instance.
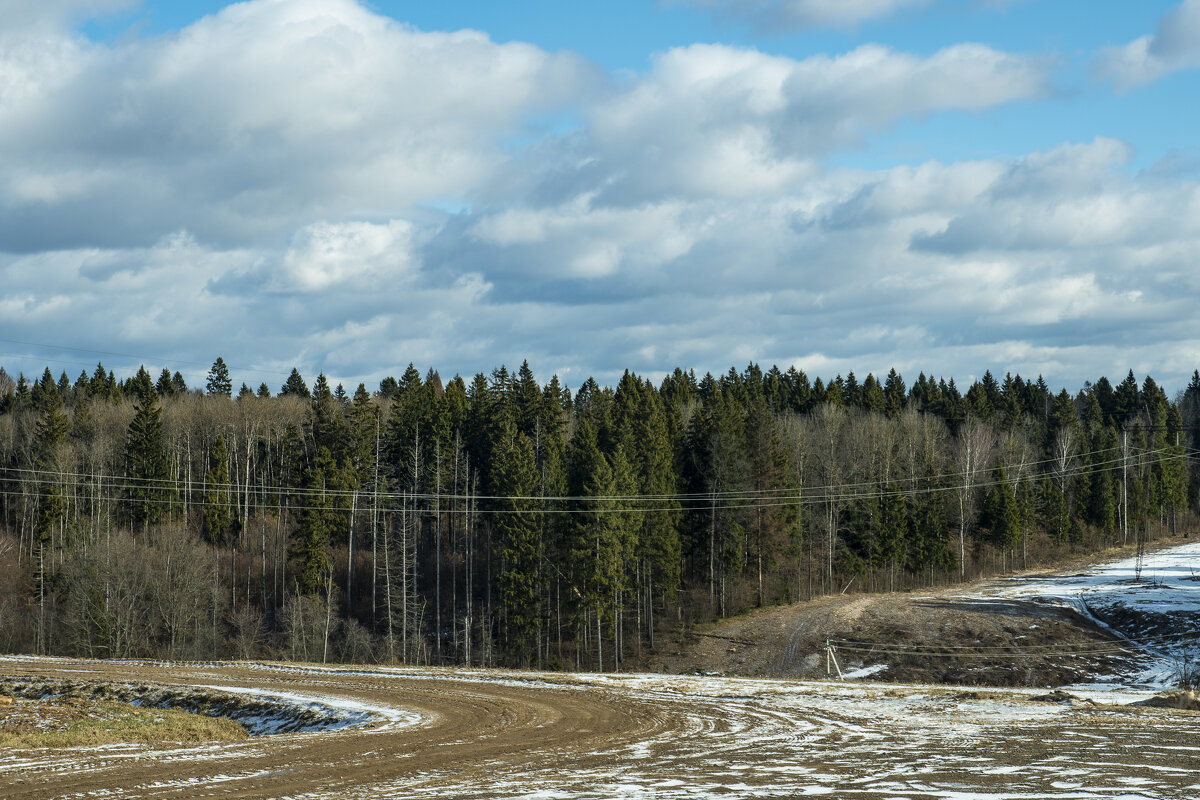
(501, 735)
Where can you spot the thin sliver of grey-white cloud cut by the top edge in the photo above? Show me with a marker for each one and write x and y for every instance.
(796, 15)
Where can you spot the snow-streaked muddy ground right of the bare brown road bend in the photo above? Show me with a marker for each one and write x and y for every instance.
(746, 738)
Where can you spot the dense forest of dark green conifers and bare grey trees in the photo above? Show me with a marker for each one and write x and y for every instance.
(502, 521)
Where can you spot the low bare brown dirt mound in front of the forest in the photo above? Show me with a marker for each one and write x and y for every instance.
(904, 637)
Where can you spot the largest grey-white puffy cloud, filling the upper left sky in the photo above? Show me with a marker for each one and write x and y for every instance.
(259, 119)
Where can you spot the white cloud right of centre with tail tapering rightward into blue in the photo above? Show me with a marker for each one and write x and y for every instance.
(717, 121)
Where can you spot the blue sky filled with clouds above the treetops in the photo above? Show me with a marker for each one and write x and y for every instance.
(345, 188)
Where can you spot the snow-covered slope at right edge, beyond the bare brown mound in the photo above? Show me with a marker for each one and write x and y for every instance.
(1153, 600)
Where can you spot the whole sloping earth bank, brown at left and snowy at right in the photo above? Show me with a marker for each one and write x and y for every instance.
(1109, 622)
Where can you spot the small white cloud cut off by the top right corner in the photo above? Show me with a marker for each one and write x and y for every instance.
(1174, 46)
